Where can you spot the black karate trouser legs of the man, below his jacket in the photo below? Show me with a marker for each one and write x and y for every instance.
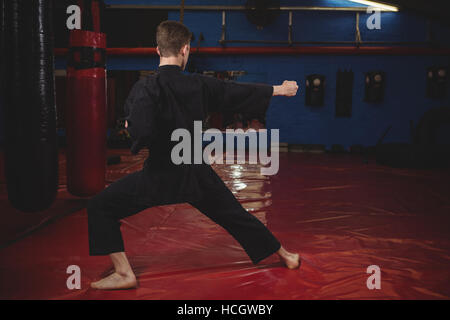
(118, 201)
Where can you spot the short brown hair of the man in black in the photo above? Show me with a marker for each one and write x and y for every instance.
(171, 36)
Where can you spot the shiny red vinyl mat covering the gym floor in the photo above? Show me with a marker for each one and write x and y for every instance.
(341, 216)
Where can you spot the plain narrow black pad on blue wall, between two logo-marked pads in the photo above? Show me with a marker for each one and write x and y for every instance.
(344, 92)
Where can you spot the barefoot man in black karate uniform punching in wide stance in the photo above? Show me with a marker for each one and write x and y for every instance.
(156, 106)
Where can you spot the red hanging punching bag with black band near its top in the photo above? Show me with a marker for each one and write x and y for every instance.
(86, 107)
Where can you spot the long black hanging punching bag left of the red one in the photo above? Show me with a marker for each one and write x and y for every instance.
(31, 158)
